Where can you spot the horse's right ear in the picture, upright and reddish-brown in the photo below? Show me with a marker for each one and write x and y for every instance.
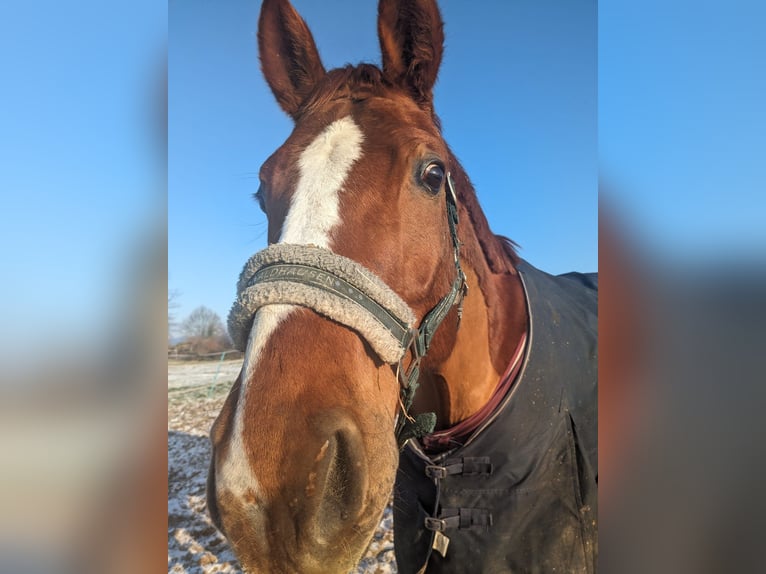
(411, 36)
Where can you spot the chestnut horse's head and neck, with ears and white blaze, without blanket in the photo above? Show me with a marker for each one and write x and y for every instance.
(305, 449)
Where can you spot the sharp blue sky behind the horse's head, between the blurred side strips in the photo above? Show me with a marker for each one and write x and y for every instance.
(516, 95)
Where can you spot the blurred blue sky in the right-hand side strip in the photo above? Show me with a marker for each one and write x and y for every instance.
(682, 126)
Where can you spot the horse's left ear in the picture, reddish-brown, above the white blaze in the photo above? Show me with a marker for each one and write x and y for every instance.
(289, 57)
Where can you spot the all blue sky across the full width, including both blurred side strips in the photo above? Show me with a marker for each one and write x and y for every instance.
(681, 137)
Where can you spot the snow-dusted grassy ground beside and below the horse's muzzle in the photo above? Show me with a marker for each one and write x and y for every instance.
(196, 391)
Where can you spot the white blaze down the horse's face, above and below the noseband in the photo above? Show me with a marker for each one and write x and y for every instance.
(314, 212)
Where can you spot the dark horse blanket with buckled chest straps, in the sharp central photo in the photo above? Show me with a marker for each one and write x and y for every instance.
(521, 494)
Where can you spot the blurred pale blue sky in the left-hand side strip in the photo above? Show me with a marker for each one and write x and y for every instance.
(81, 173)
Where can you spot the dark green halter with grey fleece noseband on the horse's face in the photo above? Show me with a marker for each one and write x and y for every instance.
(349, 293)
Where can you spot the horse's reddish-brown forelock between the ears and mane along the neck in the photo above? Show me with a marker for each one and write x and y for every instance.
(366, 80)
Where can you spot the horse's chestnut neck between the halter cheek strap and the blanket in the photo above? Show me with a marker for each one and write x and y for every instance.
(494, 319)
